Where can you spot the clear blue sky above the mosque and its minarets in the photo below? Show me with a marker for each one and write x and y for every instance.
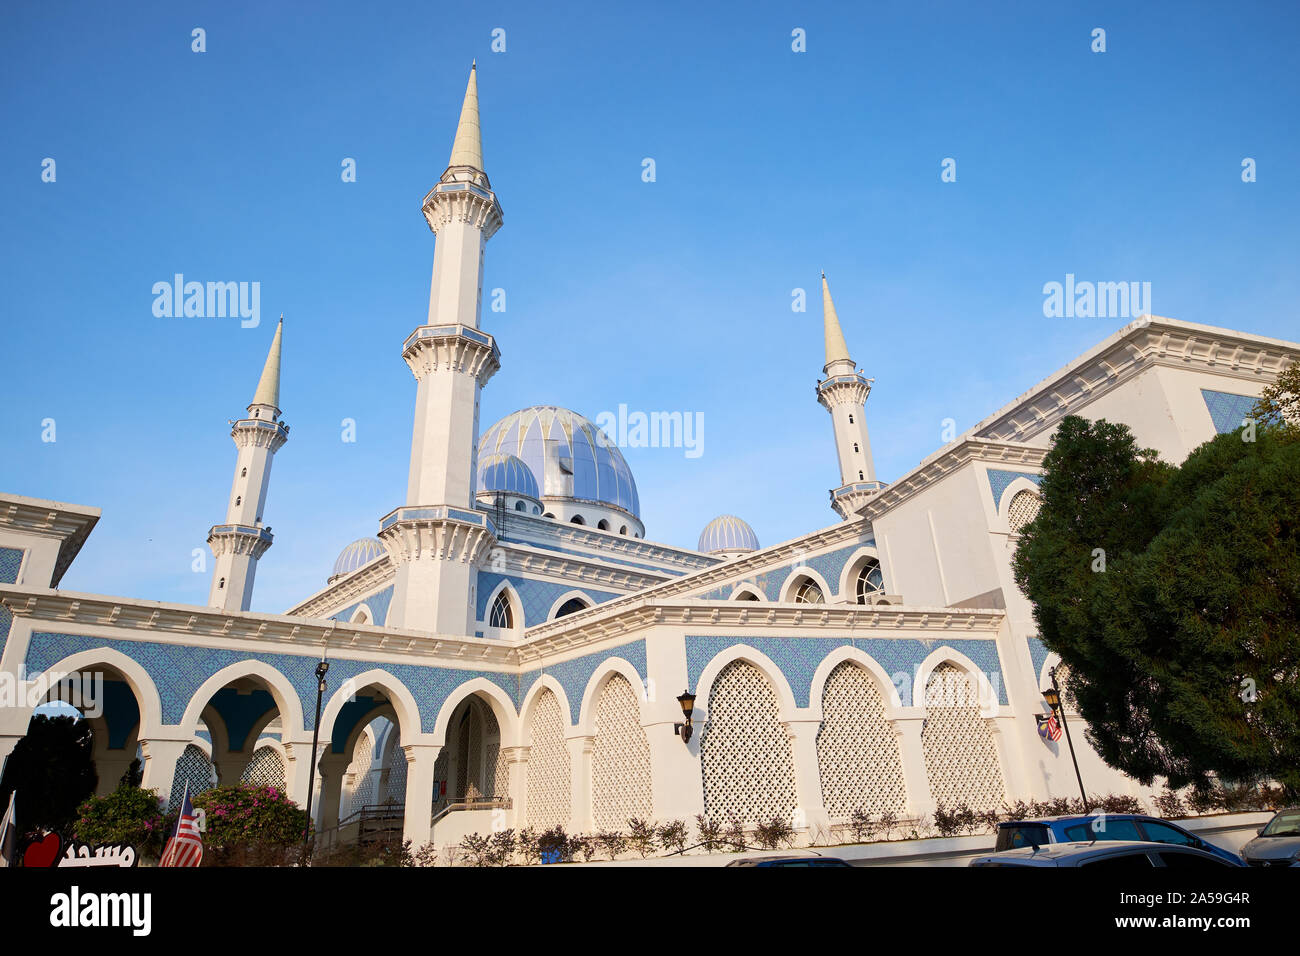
(675, 295)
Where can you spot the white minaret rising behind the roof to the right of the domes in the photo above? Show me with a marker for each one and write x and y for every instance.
(844, 393)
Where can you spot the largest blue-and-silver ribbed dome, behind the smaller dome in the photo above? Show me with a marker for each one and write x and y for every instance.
(570, 456)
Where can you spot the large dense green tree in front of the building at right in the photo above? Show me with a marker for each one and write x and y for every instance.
(1173, 596)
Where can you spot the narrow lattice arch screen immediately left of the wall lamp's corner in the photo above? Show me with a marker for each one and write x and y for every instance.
(621, 759)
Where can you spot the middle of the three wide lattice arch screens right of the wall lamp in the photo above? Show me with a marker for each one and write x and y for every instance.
(857, 751)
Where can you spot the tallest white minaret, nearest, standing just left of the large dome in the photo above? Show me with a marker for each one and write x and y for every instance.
(437, 537)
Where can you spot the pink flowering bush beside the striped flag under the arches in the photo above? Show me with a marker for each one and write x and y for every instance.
(250, 827)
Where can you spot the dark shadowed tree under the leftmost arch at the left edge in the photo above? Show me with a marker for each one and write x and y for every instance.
(54, 769)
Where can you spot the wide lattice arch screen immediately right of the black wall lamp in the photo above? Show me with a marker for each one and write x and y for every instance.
(744, 752)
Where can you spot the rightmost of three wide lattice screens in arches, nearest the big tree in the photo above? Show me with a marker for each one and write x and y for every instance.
(961, 758)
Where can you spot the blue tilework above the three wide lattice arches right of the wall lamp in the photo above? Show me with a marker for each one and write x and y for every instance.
(800, 657)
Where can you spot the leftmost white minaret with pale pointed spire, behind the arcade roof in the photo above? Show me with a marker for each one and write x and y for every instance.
(244, 539)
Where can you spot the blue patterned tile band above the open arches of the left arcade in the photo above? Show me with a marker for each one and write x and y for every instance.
(180, 671)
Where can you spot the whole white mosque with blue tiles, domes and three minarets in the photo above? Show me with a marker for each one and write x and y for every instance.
(512, 646)
